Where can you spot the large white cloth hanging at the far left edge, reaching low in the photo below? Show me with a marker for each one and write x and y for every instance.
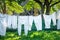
(2, 25)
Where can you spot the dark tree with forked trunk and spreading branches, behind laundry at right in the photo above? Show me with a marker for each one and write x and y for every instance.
(47, 4)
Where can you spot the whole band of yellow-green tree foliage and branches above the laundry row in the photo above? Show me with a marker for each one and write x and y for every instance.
(18, 6)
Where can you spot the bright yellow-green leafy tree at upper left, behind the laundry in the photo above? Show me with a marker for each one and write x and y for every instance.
(10, 7)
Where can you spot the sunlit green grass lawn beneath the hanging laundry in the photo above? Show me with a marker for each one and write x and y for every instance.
(32, 35)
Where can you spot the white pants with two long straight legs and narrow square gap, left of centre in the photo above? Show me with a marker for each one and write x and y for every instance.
(23, 20)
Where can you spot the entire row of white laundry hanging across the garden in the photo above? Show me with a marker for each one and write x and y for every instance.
(12, 21)
